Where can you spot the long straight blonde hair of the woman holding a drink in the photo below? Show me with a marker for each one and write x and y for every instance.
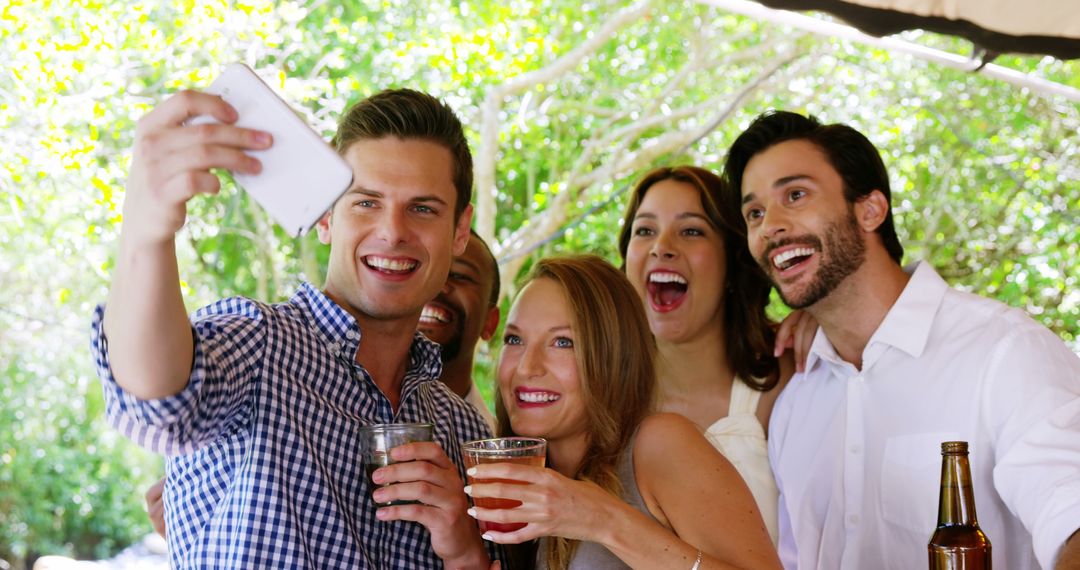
(615, 352)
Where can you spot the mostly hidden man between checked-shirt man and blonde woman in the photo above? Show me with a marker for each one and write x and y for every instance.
(466, 311)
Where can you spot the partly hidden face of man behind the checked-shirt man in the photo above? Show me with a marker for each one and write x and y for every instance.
(461, 315)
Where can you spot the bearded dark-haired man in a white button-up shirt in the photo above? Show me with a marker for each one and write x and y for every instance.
(901, 364)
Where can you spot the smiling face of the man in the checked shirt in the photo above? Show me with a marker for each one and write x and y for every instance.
(393, 236)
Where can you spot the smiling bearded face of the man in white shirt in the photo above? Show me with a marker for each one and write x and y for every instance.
(801, 229)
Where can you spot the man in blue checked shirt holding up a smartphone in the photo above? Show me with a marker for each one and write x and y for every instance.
(259, 405)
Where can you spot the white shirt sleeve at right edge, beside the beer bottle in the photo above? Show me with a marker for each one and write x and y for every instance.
(1034, 408)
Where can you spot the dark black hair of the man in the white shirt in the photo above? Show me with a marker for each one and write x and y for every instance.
(850, 154)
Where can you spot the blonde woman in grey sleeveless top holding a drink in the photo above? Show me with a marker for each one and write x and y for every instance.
(624, 488)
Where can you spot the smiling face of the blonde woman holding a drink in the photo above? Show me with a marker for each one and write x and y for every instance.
(538, 370)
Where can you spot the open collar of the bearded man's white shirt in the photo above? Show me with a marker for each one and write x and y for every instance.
(907, 327)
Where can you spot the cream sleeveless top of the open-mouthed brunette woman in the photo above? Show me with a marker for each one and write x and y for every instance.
(741, 439)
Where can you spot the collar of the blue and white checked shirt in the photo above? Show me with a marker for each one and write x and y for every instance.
(343, 334)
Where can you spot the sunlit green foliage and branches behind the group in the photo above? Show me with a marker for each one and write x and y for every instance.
(985, 175)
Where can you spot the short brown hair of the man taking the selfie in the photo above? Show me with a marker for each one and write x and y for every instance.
(407, 114)
